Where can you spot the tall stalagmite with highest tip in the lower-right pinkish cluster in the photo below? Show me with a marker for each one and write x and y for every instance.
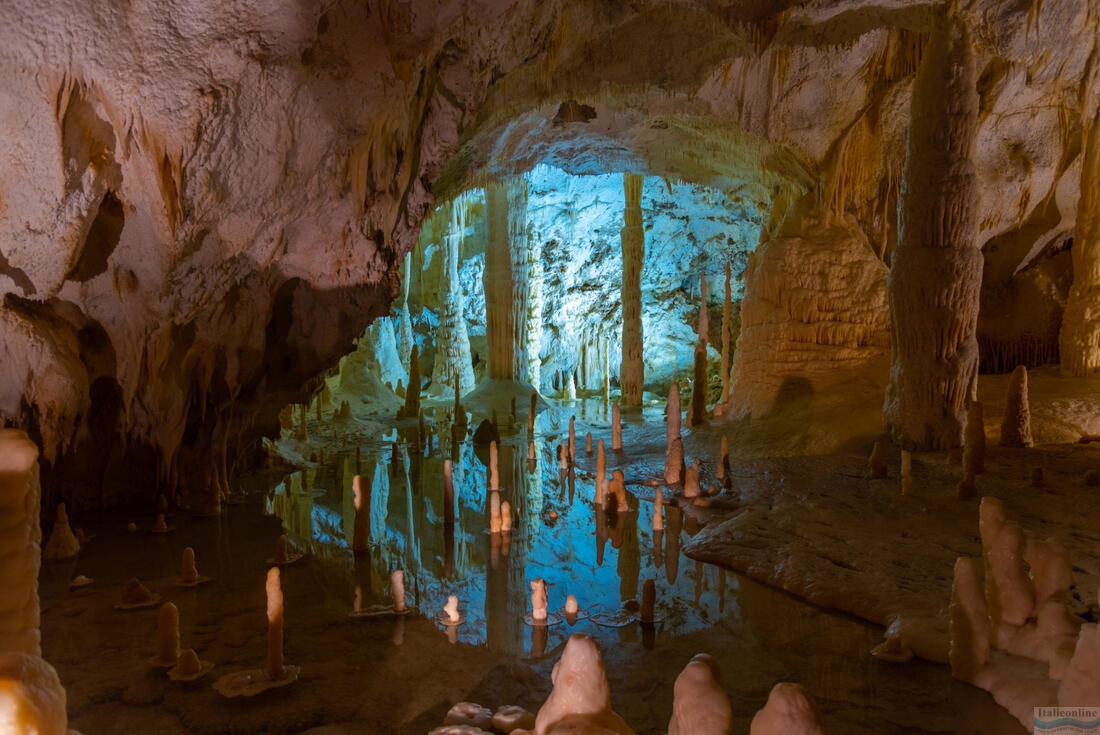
(1009, 594)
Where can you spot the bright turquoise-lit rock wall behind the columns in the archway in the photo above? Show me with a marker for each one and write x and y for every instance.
(576, 223)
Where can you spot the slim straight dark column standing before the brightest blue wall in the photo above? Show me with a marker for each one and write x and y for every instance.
(633, 237)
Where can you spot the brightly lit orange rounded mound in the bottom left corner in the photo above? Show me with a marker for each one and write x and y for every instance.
(32, 699)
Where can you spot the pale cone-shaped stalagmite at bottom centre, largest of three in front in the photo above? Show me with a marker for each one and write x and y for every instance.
(581, 700)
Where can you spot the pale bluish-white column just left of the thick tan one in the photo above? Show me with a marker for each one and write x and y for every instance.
(453, 341)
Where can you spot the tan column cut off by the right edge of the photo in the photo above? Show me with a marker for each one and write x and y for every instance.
(1080, 342)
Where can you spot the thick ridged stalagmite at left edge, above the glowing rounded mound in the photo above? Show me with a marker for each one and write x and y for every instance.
(20, 544)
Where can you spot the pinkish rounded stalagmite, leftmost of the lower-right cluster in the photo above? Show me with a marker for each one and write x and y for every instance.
(970, 621)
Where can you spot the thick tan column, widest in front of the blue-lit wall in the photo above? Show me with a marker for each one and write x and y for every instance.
(508, 260)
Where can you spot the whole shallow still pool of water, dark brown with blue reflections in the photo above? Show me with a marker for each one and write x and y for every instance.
(402, 675)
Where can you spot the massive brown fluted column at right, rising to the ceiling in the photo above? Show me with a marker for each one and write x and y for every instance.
(936, 279)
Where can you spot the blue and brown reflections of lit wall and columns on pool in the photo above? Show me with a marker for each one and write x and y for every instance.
(600, 556)
